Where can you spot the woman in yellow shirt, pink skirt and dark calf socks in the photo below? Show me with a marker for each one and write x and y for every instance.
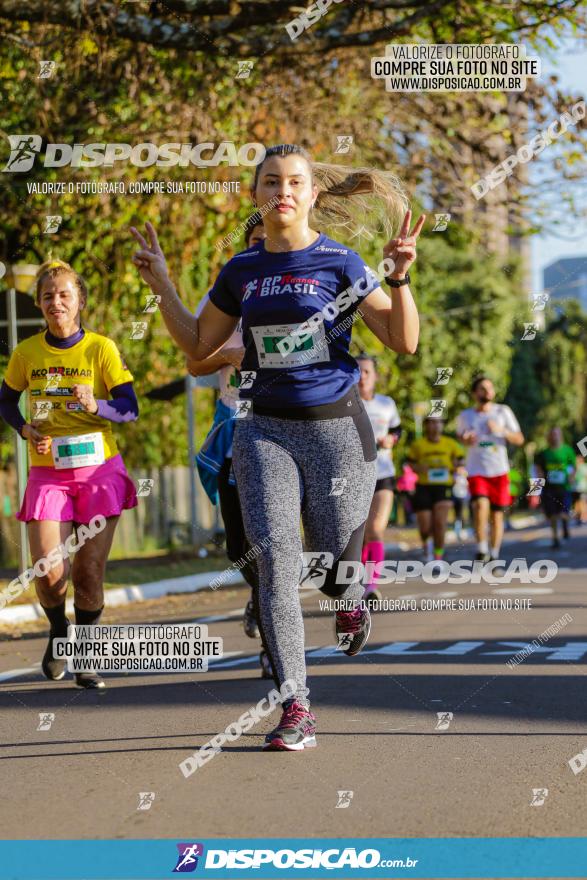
(77, 384)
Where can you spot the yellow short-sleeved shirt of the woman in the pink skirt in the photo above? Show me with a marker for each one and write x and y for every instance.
(48, 374)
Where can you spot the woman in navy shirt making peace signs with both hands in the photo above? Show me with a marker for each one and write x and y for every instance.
(306, 446)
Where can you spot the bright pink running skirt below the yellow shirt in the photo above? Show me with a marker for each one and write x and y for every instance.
(78, 494)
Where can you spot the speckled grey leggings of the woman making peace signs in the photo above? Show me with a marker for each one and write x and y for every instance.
(285, 468)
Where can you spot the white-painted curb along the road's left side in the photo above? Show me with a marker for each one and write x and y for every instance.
(191, 583)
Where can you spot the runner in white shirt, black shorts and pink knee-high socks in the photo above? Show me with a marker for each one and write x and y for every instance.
(385, 422)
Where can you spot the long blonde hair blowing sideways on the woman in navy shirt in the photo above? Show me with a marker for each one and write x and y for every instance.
(350, 198)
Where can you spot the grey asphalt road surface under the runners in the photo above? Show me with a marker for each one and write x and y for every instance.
(513, 730)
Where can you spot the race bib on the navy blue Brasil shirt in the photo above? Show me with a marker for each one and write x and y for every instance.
(310, 349)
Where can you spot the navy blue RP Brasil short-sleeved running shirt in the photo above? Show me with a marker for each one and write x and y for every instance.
(276, 293)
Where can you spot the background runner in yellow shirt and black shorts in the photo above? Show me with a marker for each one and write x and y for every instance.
(434, 458)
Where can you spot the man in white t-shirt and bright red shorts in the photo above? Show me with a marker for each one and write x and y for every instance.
(486, 429)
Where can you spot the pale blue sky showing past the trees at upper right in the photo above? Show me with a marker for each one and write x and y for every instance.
(571, 66)
